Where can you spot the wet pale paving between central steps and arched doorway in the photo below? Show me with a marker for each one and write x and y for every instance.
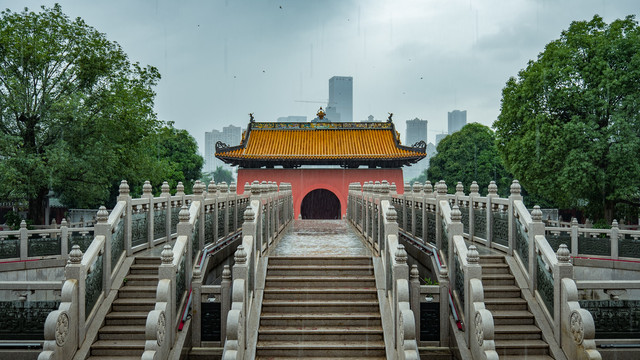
(320, 238)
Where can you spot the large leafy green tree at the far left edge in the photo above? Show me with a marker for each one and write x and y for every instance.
(74, 112)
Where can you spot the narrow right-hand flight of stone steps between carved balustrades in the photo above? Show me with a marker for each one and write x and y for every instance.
(516, 334)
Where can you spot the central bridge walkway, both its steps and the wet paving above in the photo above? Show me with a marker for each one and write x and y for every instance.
(320, 296)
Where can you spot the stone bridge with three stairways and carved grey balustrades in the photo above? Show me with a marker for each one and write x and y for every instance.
(221, 274)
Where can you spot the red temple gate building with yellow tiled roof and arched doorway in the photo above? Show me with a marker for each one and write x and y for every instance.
(320, 160)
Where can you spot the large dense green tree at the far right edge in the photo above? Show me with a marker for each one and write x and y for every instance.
(569, 126)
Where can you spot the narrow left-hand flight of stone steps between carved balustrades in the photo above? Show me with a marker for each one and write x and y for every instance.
(122, 335)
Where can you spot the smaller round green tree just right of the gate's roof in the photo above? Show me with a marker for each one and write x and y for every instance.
(469, 155)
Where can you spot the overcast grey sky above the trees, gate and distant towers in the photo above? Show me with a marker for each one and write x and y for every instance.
(222, 59)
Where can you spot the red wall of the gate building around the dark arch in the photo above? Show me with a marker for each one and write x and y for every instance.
(304, 181)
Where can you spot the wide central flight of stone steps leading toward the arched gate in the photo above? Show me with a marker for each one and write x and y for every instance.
(320, 307)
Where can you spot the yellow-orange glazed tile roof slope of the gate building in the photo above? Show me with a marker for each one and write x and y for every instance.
(320, 144)
